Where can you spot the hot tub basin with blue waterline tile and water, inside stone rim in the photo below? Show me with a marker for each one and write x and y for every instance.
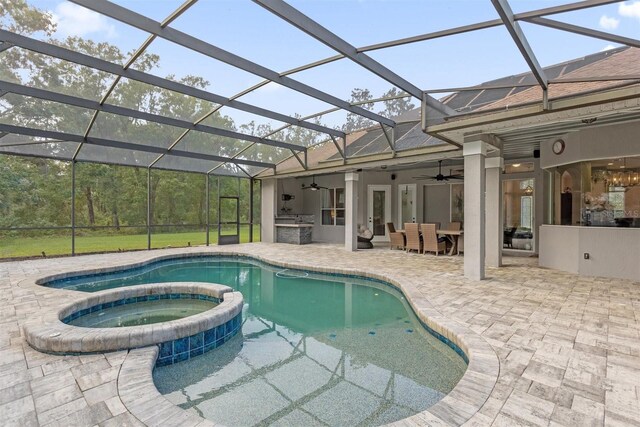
(142, 310)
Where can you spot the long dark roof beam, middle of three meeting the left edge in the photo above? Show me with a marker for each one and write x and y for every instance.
(136, 114)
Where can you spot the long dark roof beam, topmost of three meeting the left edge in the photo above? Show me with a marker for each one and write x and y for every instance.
(111, 68)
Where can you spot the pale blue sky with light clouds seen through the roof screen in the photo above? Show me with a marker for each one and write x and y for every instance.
(248, 30)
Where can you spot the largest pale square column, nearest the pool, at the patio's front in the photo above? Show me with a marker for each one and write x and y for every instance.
(474, 186)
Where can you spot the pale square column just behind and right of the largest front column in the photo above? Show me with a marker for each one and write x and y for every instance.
(494, 227)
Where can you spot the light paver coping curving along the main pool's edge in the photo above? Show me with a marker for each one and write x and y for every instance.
(456, 408)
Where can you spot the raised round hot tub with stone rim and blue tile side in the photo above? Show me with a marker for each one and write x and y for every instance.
(190, 319)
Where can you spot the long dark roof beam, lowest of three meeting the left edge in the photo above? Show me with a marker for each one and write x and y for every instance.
(63, 136)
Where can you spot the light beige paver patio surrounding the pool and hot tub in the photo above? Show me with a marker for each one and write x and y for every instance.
(568, 346)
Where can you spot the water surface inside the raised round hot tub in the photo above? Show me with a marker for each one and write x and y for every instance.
(143, 313)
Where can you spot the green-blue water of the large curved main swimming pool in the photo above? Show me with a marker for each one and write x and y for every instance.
(314, 350)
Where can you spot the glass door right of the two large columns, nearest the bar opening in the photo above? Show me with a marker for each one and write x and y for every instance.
(519, 229)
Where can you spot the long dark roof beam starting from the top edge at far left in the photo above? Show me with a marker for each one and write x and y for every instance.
(148, 25)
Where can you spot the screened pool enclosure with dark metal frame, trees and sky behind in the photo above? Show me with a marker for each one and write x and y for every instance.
(154, 128)
